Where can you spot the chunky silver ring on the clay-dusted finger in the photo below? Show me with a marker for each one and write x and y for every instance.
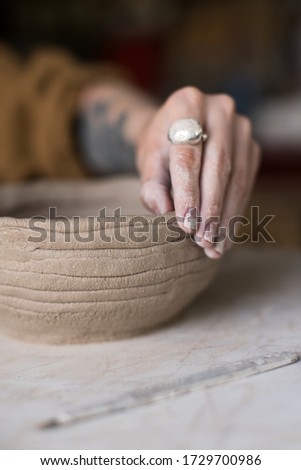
(186, 131)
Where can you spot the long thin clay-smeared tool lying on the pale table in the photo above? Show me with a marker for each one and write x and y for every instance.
(173, 388)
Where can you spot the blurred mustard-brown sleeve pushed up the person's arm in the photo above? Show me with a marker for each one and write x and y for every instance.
(38, 102)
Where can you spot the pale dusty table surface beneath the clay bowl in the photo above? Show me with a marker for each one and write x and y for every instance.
(252, 308)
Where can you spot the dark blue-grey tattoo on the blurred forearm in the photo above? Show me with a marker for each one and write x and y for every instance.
(102, 143)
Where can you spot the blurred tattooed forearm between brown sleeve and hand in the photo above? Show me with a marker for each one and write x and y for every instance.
(110, 120)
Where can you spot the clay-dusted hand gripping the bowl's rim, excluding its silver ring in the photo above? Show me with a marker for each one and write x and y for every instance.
(212, 180)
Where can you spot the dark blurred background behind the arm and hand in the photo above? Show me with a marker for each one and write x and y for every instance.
(250, 49)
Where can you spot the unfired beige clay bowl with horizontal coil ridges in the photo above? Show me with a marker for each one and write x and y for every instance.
(71, 275)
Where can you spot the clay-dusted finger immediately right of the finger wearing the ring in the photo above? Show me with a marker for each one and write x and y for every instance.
(216, 169)
